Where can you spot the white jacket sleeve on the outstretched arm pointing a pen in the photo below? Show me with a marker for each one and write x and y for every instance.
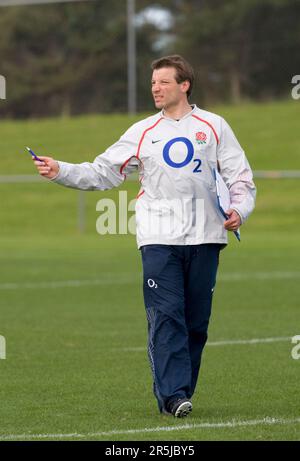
(108, 170)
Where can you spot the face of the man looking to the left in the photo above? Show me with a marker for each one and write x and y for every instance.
(165, 90)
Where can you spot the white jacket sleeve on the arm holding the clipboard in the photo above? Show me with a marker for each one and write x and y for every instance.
(236, 172)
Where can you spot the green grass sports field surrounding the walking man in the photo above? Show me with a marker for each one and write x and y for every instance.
(72, 310)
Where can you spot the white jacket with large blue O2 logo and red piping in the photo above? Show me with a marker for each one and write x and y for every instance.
(177, 203)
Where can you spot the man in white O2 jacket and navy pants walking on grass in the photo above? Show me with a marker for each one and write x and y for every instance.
(180, 229)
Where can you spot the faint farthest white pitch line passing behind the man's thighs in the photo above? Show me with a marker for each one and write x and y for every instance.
(124, 278)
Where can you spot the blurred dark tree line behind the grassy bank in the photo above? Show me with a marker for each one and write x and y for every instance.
(70, 58)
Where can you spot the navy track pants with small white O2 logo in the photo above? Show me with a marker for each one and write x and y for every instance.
(178, 287)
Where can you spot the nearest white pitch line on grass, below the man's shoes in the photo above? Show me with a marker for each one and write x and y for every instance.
(214, 425)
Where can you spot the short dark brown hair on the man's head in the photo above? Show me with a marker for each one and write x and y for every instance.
(184, 70)
